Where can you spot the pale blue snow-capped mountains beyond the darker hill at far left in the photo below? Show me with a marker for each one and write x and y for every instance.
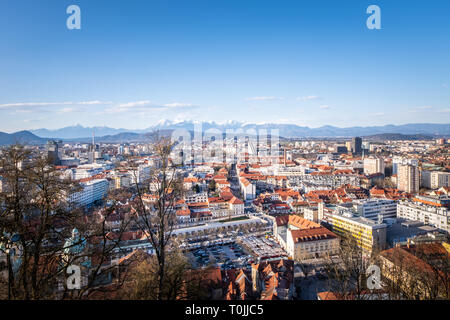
(285, 130)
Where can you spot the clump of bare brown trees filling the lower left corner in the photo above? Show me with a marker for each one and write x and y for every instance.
(36, 224)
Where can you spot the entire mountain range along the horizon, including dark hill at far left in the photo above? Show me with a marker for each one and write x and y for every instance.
(106, 134)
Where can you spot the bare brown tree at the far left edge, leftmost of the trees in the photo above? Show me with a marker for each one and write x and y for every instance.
(35, 214)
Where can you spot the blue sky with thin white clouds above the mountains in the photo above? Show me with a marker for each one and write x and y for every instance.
(311, 63)
